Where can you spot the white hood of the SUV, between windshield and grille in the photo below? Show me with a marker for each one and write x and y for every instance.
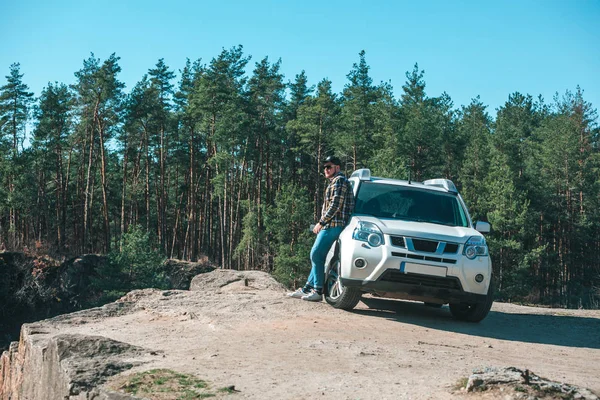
(424, 230)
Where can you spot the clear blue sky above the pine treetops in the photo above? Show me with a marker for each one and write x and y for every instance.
(467, 48)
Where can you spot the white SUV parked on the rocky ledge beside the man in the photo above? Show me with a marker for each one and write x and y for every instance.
(413, 241)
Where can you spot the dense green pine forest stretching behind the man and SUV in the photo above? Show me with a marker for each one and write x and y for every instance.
(224, 159)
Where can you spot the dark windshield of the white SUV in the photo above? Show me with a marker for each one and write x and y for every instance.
(409, 204)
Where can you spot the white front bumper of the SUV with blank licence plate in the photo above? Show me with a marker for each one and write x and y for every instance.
(406, 272)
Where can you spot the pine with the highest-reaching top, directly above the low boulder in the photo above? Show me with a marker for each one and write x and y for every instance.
(220, 108)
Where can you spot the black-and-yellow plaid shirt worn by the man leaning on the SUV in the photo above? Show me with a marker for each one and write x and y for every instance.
(339, 202)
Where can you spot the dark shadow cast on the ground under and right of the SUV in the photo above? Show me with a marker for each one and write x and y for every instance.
(560, 330)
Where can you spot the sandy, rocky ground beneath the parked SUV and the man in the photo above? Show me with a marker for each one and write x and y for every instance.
(238, 331)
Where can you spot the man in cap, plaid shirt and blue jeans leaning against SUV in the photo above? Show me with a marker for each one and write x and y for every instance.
(335, 215)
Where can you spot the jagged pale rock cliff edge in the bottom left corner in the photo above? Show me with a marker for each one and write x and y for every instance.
(48, 364)
